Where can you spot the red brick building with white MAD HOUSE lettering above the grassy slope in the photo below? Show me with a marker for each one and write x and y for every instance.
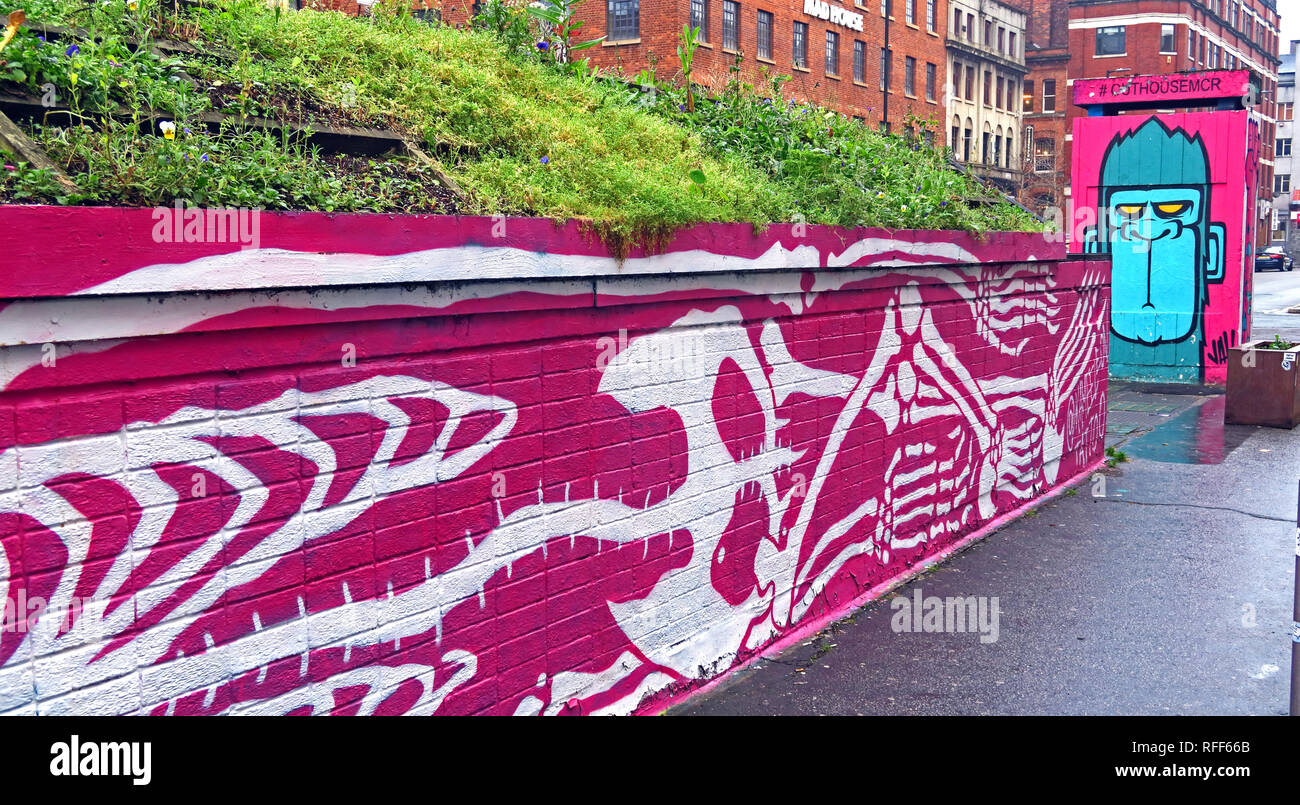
(879, 60)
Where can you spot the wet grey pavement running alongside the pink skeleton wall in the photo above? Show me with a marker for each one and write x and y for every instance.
(1168, 595)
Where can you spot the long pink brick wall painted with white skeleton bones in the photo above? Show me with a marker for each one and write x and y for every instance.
(400, 465)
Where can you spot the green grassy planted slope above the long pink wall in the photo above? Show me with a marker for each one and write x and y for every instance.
(517, 132)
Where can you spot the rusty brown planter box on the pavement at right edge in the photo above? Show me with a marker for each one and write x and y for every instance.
(1263, 387)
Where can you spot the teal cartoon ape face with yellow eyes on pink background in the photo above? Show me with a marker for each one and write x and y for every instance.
(1154, 205)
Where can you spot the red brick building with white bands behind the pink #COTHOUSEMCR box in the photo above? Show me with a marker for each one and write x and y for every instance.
(1155, 37)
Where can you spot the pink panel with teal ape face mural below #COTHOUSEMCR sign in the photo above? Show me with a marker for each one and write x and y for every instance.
(1169, 207)
